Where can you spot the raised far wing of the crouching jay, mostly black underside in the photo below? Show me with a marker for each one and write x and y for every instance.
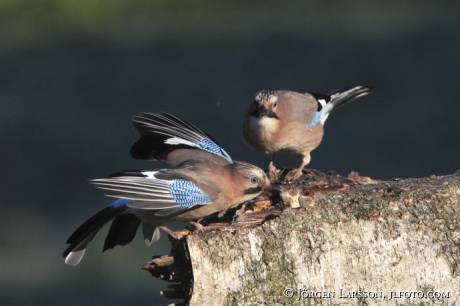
(162, 133)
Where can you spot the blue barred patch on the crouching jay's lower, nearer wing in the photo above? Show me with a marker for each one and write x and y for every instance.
(185, 193)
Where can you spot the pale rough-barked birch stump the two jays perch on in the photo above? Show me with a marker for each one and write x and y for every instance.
(392, 241)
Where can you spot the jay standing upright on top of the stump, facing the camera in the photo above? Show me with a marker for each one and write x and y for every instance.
(290, 122)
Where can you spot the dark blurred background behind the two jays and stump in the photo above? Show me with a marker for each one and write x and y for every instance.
(73, 73)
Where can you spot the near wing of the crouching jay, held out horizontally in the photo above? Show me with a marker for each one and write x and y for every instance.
(149, 191)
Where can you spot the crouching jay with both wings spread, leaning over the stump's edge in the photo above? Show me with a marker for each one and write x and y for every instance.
(203, 181)
